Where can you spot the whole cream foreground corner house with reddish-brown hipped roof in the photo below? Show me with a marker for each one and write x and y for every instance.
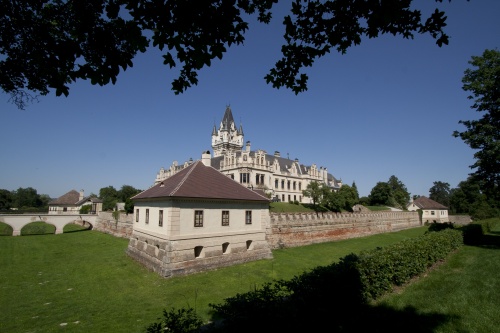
(198, 219)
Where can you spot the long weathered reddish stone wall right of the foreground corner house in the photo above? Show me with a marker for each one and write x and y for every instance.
(298, 229)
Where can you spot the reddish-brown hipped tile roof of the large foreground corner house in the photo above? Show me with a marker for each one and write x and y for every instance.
(200, 181)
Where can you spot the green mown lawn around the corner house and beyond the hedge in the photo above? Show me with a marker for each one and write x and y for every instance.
(84, 282)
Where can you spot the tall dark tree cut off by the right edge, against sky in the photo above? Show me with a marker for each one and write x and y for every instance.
(483, 134)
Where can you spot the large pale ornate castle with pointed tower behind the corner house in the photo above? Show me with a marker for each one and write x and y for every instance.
(282, 179)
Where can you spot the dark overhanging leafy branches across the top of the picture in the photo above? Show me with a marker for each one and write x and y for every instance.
(49, 44)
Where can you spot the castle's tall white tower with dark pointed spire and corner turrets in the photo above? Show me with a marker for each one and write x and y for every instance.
(227, 137)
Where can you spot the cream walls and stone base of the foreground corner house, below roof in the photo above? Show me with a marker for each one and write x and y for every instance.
(180, 248)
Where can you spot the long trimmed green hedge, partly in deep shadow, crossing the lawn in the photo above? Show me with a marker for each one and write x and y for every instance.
(333, 294)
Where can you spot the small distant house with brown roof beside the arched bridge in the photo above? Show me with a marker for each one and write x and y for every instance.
(71, 202)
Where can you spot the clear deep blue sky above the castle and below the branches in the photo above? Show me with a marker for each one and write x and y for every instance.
(387, 107)
